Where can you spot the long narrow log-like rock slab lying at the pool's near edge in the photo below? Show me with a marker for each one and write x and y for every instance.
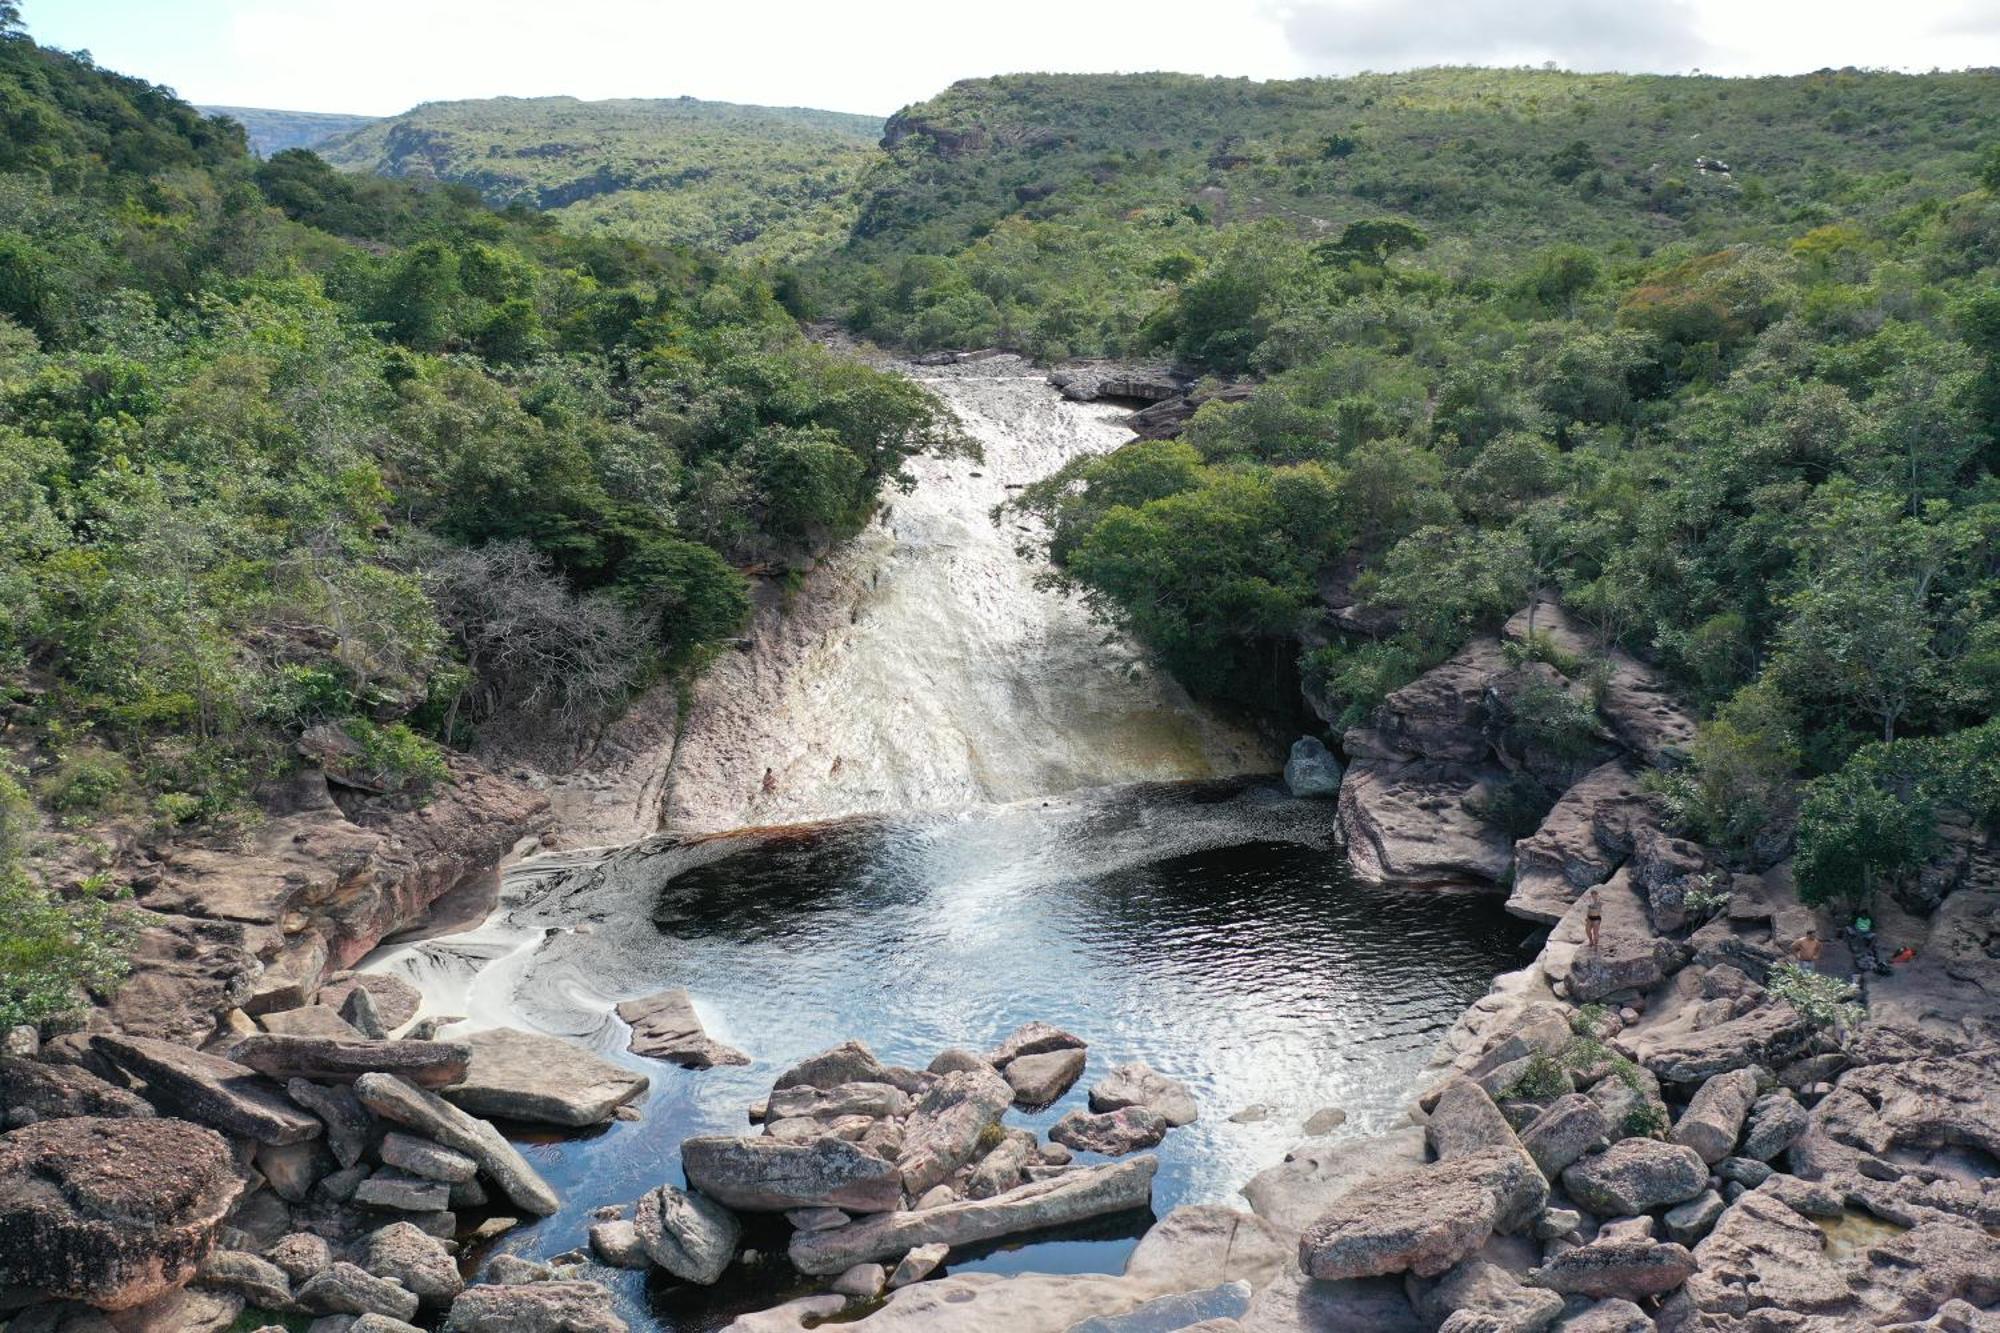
(1075, 1196)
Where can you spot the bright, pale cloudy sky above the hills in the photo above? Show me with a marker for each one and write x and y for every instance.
(381, 57)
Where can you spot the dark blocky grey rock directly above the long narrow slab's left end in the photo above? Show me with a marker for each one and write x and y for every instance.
(765, 1176)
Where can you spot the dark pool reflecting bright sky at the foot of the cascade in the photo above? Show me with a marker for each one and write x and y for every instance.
(1207, 930)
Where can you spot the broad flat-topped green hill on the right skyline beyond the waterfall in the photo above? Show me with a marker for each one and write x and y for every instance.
(1055, 211)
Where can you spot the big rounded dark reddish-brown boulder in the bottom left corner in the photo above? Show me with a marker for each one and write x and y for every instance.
(113, 1212)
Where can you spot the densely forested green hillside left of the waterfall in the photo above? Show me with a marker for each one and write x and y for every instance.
(293, 453)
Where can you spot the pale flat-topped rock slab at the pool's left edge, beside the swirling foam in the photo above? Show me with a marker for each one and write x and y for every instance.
(519, 1076)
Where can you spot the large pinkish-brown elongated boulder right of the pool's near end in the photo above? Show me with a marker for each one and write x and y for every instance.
(1425, 1220)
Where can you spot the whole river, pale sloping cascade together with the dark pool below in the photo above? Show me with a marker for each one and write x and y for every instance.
(983, 810)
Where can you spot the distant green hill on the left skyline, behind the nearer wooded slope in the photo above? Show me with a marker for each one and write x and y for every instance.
(765, 181)
